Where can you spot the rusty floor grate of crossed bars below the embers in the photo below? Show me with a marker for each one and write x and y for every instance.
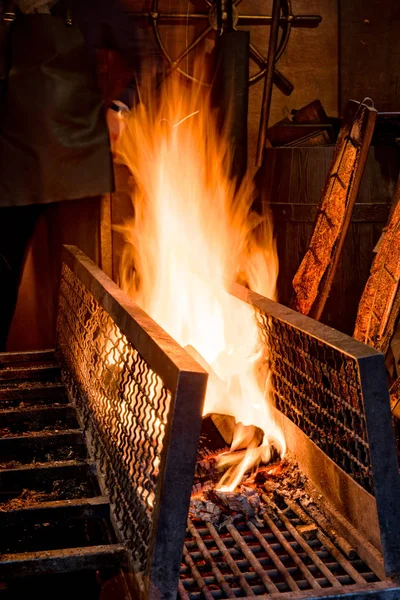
(243, 560)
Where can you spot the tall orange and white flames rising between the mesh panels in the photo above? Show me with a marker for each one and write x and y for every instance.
(194, 232)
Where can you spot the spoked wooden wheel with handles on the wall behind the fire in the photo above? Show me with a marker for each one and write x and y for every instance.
(223, 15)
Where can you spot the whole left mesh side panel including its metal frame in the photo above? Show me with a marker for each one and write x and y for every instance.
(139, 397)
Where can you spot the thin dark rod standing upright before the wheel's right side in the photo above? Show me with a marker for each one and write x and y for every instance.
(267, 95)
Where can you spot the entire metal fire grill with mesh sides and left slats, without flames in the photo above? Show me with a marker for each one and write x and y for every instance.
(99, 482)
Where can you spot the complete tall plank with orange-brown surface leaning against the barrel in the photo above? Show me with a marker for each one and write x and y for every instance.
(313, 280)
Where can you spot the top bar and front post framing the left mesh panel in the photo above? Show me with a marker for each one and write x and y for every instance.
(186, 381)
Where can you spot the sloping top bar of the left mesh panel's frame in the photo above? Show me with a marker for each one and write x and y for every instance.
(159, 350)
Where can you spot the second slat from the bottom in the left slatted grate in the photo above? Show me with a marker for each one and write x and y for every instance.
(59, 510)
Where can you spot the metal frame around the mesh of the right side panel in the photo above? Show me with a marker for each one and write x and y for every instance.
(381, 441)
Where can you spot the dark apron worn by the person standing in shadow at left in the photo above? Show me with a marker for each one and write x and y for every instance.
(54, 141)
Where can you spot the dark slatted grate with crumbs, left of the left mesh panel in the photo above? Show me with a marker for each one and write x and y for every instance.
(56, 536)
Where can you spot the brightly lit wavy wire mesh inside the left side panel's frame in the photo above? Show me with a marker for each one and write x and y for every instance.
(123, 404)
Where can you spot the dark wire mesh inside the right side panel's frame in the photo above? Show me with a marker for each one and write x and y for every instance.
(319, 388)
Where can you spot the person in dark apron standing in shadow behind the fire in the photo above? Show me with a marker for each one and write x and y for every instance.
(54, 140)
